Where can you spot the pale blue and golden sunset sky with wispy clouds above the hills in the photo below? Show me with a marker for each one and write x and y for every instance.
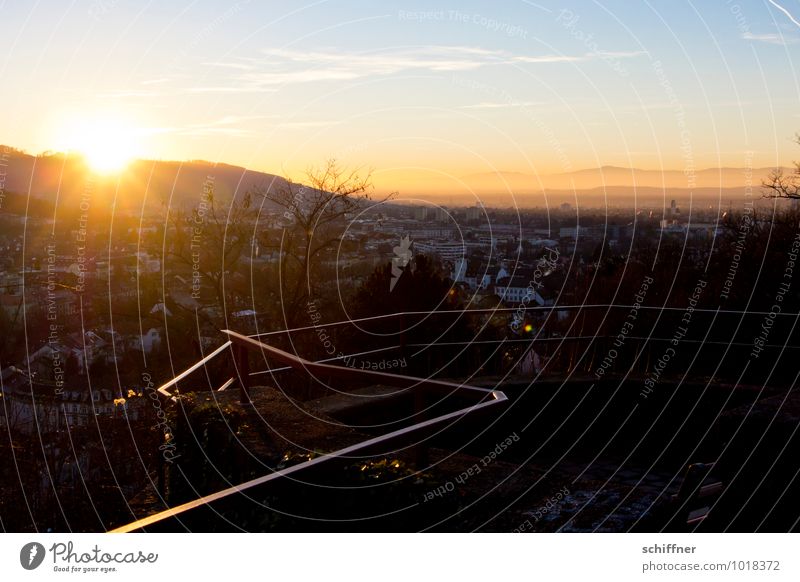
(420, 92)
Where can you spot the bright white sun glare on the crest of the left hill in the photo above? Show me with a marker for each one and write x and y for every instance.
(107, 144)
